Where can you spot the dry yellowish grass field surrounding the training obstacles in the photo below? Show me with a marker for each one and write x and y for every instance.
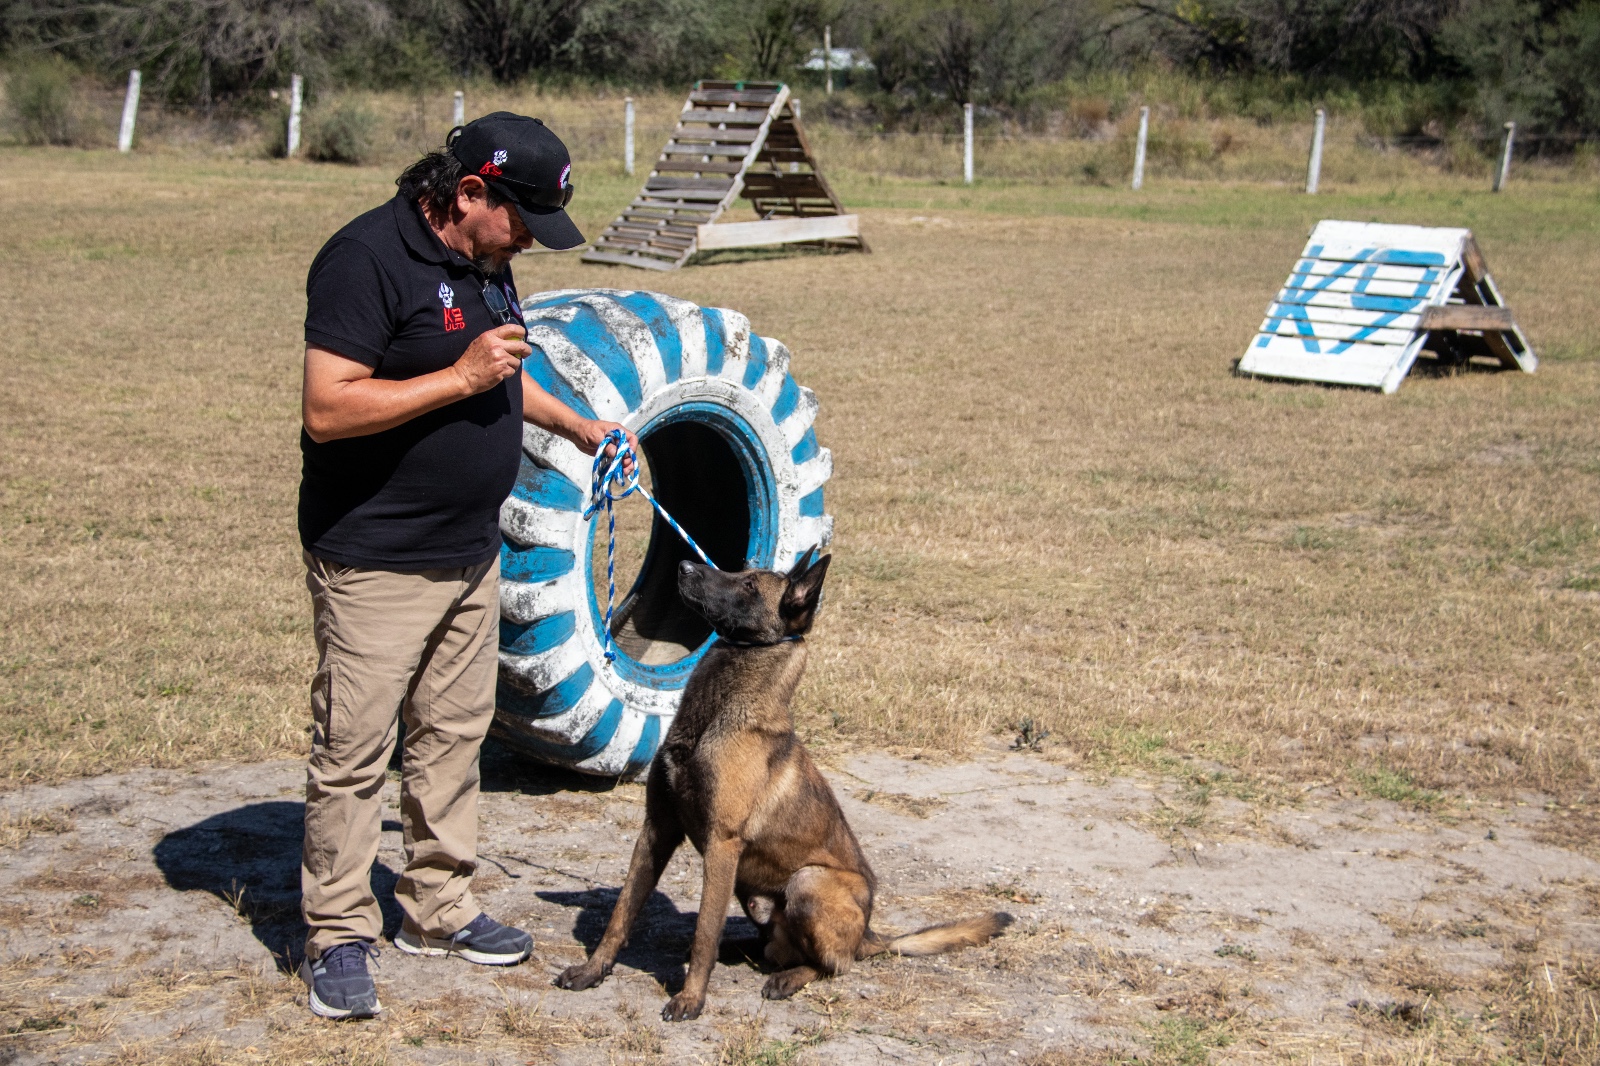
(1057, 510)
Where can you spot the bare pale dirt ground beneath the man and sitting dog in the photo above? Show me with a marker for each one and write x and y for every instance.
(162, 926)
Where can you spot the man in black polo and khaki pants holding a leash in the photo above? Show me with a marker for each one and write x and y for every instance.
(414, 407)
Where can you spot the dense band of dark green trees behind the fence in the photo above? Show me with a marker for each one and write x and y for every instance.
(1409, 68)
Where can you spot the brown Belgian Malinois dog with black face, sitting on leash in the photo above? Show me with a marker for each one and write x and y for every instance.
(737, 782)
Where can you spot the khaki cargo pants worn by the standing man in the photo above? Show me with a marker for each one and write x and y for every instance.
(390, 644)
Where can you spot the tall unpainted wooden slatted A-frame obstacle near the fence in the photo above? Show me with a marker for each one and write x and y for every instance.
(734, 140)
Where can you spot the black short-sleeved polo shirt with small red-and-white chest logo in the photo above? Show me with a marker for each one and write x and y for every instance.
(388, 294)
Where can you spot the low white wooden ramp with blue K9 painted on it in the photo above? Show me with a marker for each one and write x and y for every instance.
(1367, 299)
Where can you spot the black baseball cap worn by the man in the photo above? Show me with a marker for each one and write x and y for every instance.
(526, 162)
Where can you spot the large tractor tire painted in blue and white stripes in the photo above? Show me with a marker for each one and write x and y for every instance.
(727, 436)
